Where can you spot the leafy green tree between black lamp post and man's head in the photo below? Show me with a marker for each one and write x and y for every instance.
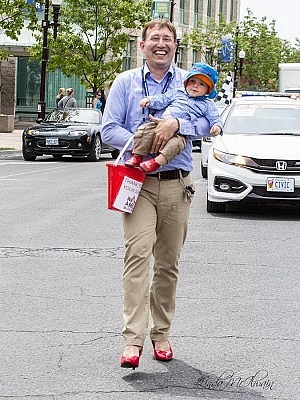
(92, 38)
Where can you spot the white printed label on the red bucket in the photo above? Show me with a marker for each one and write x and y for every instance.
(128, 194)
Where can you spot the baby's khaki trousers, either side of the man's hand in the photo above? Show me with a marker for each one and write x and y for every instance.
(143, 139)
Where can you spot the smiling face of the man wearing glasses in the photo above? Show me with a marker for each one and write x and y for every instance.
(159, 47)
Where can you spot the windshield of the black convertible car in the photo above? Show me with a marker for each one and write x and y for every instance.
(75, 115)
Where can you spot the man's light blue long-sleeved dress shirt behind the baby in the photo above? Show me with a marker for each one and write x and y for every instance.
(123, 114)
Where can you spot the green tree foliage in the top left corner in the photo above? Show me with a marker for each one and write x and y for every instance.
(12, 13)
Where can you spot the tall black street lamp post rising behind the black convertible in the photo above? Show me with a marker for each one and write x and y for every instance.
(46, 52)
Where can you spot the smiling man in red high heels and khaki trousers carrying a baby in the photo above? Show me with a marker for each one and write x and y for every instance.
(158, 224)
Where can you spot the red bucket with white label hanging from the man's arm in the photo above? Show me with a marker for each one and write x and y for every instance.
(123, 187)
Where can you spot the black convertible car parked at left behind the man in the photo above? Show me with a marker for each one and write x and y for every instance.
(73, 131)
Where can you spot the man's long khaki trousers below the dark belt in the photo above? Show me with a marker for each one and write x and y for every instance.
(158, 227)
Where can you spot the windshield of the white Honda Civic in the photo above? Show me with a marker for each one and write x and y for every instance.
(264, 119)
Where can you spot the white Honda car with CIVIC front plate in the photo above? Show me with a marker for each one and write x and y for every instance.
(257, 159)
